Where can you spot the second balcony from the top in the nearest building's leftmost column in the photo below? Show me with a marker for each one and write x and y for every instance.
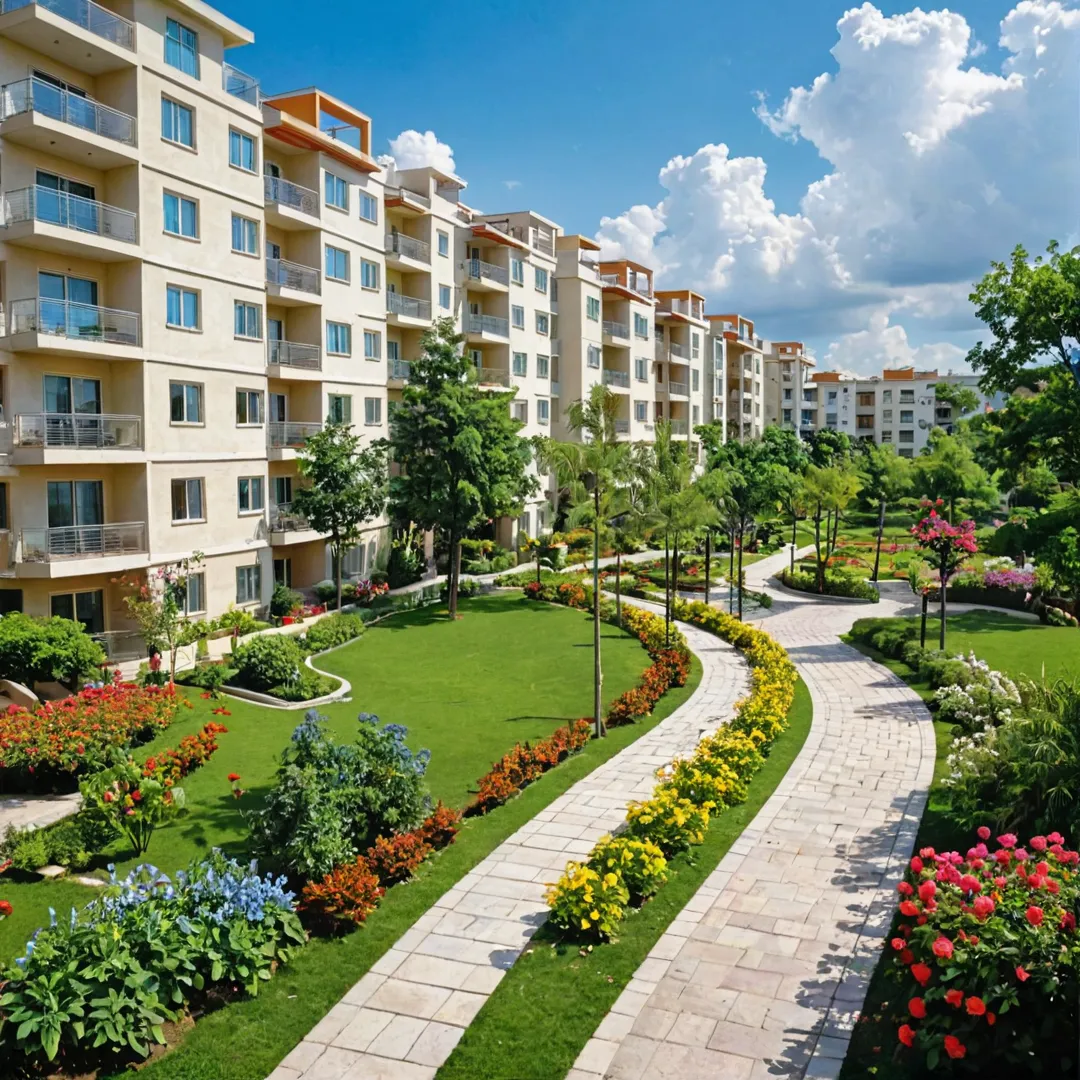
(53, 121)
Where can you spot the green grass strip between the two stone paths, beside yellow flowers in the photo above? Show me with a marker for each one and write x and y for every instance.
(551, 1002)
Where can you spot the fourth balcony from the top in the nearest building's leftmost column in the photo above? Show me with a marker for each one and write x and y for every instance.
(59, 327)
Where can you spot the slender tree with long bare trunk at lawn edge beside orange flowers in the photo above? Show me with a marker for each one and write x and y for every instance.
(595, 470)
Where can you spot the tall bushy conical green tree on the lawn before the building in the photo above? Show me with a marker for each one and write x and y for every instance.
(461, 453)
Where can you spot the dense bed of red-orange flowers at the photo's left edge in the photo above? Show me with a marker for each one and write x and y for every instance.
(48, 748)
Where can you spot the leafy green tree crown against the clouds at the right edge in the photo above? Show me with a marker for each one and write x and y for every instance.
(1032, 307)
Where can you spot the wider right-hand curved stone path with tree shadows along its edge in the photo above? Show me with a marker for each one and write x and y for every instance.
(766, 969)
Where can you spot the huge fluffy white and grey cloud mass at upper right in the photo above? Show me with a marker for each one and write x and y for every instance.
(935, 165)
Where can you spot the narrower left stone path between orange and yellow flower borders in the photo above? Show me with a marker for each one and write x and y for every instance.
(406, 1017)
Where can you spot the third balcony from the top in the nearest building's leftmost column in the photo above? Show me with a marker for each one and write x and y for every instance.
(58, 222)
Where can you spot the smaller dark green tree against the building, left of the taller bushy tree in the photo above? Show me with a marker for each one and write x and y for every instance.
(346, 487)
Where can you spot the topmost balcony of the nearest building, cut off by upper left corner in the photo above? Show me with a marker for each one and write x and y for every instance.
(80, 34)
